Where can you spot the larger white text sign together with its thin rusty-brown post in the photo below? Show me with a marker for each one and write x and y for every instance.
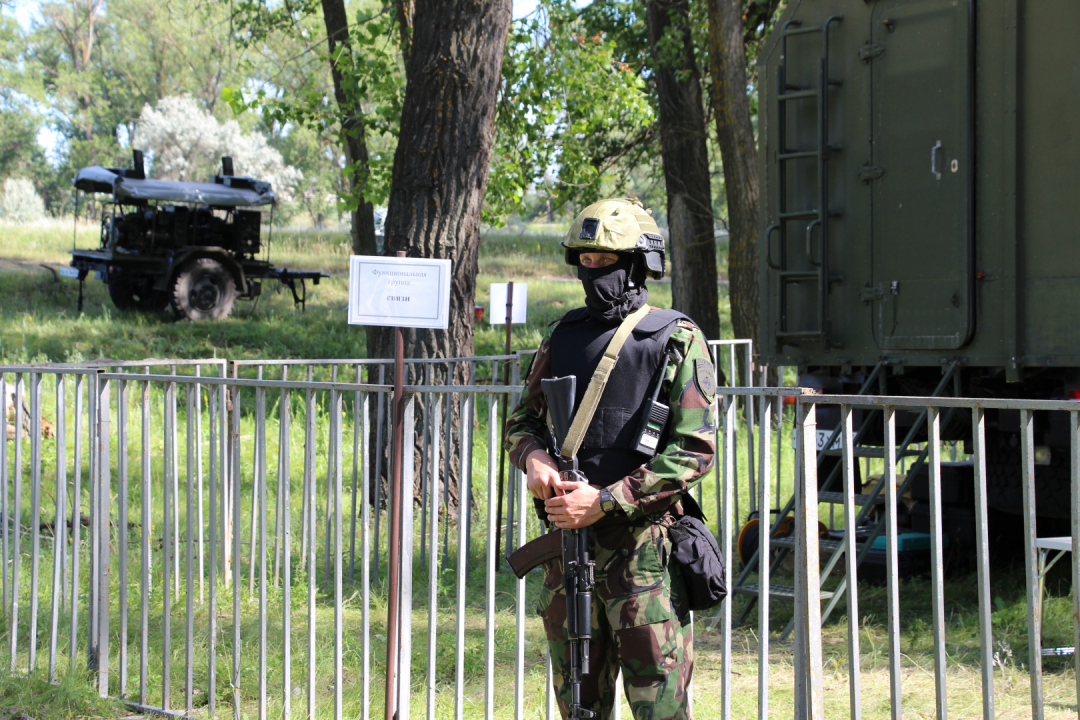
(398, 293)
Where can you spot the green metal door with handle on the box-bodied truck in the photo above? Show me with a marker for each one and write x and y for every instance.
(922, 171)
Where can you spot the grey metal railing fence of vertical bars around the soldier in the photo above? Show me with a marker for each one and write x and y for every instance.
(152, 541)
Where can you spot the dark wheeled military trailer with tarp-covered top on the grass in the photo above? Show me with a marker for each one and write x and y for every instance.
(194, 247)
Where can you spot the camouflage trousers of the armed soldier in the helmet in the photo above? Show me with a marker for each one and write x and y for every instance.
(640, 626)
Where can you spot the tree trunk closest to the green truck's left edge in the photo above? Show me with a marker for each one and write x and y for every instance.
(735, 134)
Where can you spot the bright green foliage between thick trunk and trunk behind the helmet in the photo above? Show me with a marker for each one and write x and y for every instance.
(570, 108)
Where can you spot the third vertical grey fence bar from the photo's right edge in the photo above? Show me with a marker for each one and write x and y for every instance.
(983, 560)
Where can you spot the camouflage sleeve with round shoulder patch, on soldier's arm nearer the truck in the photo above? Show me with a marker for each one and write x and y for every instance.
(691, 449)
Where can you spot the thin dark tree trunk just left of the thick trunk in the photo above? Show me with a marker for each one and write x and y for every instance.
(353, 126)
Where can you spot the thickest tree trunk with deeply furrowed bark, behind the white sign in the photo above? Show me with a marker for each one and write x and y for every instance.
(441, 166)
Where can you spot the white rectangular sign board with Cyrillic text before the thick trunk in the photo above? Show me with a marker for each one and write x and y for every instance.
(399, 292)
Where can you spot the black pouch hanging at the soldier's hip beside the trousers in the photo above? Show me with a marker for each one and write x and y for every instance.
(699, 559)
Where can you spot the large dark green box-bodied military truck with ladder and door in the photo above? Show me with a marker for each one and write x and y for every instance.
(920, 161)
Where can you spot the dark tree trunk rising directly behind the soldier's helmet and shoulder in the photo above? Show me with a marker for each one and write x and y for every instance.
(692, 243)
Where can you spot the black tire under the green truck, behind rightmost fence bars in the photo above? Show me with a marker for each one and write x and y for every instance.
(1005, 488)
